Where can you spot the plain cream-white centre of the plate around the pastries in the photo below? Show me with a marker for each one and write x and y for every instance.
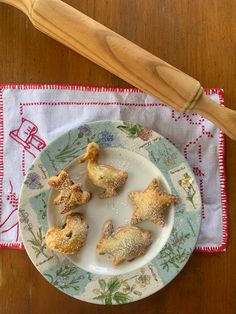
(140, 173)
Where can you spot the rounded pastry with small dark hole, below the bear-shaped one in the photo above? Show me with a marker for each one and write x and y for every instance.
(71, 238)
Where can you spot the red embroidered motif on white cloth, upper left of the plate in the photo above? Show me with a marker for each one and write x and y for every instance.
(26, 135)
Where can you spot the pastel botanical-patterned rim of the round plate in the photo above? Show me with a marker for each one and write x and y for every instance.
(132, 286)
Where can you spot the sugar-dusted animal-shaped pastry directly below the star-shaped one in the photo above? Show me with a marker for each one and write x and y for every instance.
(124, 244)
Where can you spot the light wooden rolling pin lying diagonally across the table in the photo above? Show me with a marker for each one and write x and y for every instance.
(125, 59)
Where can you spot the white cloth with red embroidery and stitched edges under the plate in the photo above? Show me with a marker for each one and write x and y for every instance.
(31, 116)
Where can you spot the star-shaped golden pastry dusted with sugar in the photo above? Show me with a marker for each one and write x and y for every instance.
(151, 204)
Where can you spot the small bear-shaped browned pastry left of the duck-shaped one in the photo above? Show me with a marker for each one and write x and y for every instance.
(71, 195)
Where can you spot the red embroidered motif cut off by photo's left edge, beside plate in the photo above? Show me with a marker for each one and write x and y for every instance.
(11, 220)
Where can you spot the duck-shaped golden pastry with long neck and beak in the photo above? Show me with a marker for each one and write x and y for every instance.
(103, 176)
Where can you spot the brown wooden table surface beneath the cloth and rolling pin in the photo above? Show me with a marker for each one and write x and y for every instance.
(197, 36)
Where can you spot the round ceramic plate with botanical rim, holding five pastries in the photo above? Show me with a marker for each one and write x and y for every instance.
(145, 154)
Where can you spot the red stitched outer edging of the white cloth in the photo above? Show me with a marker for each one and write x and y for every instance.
(221, 148)
